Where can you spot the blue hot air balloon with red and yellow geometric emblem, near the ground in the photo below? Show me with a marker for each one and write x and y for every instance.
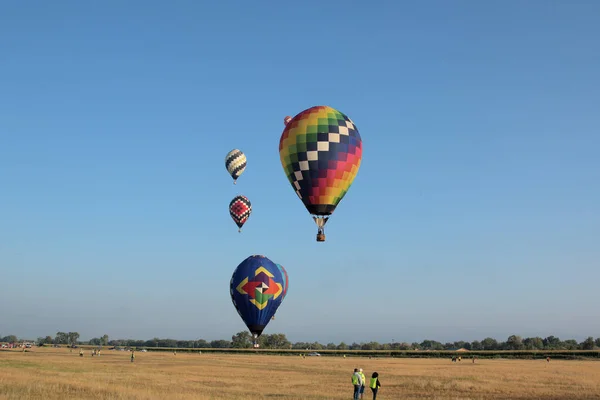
(256, 289)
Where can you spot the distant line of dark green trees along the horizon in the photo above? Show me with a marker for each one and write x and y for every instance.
(243, 340)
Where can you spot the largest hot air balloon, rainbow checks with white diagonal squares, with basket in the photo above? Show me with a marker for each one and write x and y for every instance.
(320, 151)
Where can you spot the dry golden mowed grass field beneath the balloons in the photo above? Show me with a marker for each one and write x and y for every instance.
(61, 374)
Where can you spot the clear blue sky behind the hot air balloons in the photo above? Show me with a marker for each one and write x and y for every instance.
(476, 211)
